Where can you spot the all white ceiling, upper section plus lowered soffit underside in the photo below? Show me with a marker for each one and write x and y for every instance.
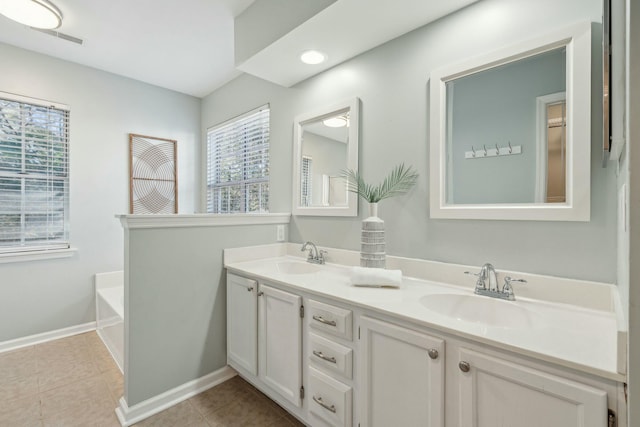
(188, 45)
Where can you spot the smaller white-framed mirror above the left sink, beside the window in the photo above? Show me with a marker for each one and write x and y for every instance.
(325, 143)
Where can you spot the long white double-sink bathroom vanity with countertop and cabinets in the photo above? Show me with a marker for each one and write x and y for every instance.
(428, 353)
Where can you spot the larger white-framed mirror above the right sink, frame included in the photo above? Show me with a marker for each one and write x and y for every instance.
(510, 132)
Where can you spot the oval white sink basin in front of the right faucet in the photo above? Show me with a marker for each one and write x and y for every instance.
(480, 309)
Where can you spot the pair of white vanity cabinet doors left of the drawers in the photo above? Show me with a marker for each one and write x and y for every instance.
(264, 335)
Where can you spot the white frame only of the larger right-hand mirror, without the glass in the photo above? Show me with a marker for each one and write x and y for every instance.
(577, 40)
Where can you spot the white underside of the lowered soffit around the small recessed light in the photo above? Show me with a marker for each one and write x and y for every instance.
(343, 30)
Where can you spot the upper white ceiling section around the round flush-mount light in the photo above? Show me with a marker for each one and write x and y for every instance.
(185, 45)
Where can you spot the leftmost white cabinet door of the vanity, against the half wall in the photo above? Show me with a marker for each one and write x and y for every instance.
(242, 323)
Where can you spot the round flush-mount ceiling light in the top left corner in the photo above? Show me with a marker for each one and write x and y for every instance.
(34, 13)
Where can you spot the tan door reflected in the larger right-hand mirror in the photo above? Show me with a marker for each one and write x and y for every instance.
(556, 152)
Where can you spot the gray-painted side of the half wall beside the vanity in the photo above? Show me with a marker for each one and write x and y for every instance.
(175, 307)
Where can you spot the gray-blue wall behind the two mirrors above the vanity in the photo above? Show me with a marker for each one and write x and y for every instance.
(393, 83)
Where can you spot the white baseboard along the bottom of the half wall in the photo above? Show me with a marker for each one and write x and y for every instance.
(138, 412)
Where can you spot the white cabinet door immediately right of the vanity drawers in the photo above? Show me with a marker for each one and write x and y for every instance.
(402, 376)
